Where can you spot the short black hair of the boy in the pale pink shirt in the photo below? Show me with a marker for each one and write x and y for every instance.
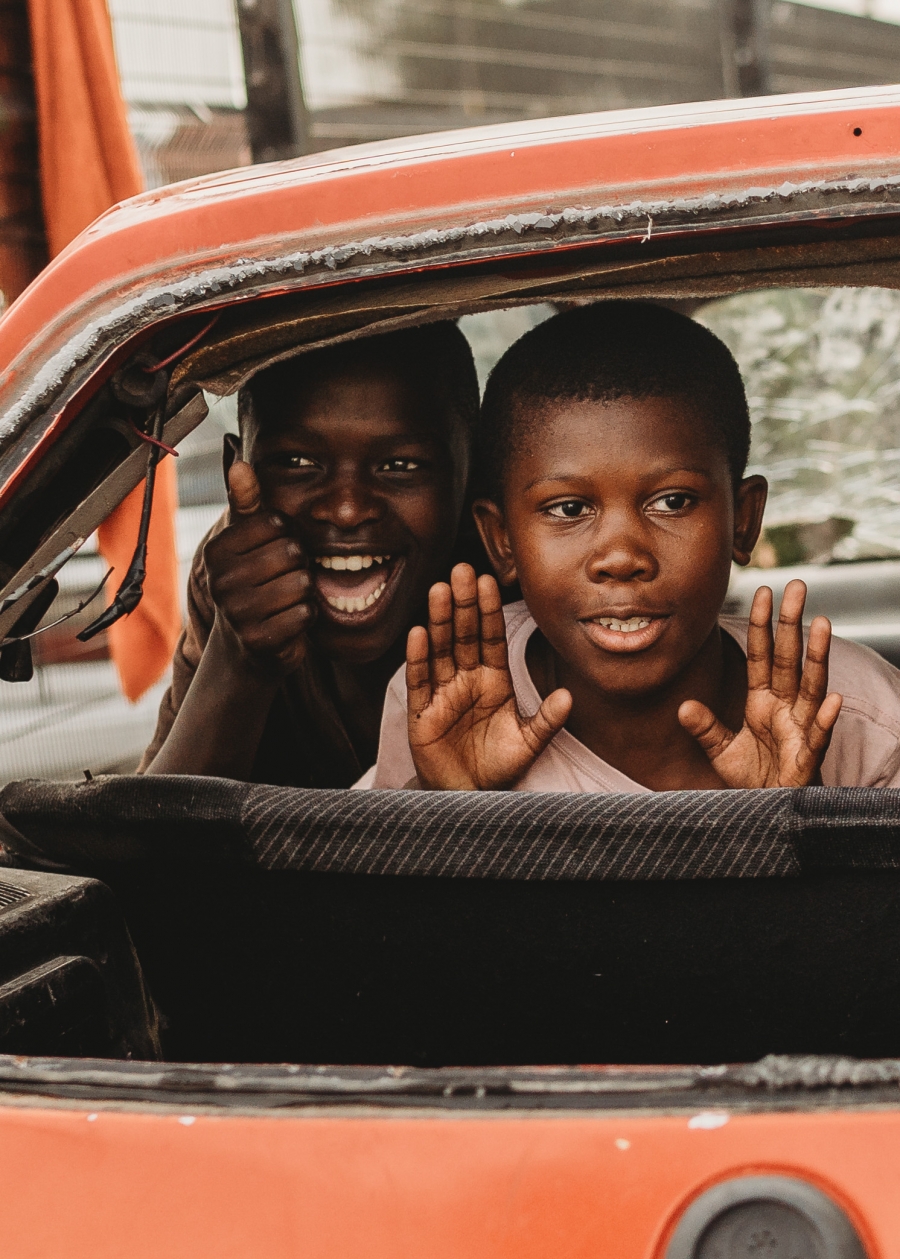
(604, 352)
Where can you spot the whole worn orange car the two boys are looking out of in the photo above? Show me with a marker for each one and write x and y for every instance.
(447, 957)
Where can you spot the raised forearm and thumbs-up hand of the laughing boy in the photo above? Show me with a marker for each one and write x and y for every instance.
(261, 590)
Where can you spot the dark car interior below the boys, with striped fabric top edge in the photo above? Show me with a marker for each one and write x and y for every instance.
(275, 925)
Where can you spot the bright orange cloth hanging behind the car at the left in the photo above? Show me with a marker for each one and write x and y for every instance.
(89, 162)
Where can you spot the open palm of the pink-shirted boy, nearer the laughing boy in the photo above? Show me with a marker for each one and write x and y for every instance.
(465, 728)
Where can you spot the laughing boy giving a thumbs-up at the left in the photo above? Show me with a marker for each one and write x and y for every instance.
(344, 503)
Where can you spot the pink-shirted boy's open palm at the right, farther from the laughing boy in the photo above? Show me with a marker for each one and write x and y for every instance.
(790, 714)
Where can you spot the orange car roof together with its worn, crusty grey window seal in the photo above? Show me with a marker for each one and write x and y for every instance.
(538, 189)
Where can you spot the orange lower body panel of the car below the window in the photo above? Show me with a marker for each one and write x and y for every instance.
(105, 1184)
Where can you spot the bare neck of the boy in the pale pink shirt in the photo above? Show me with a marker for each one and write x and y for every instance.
(641, 736)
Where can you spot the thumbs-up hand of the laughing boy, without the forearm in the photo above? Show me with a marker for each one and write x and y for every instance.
(260, 581)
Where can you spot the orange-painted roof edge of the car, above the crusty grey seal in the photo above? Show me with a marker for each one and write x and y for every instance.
(334, 207)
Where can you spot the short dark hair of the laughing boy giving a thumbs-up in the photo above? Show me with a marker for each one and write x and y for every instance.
(435, 356)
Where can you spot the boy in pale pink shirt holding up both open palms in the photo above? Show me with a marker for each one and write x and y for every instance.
(616, 440)
